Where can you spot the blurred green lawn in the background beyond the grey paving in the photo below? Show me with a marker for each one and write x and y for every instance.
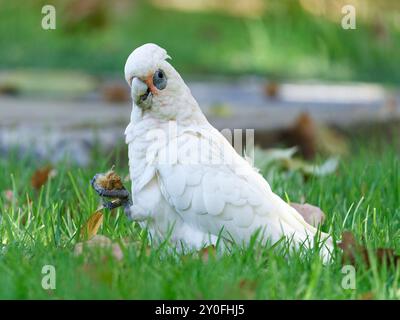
(288, 39)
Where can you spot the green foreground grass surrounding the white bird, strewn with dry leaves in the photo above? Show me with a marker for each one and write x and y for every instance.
(41, 228)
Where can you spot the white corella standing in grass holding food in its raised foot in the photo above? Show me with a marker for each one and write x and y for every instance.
(188, 183)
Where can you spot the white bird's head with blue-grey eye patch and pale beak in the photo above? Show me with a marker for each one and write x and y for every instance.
(156, 87)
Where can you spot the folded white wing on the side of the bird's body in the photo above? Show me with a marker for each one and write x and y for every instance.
(225, 193)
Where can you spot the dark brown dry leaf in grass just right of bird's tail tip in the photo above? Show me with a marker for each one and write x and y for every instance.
(352, 250)
